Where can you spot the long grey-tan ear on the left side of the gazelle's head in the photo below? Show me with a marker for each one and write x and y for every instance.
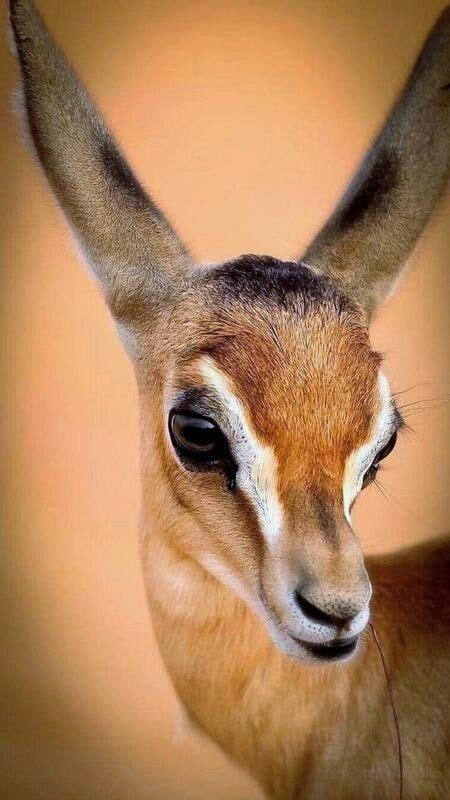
(131, 247)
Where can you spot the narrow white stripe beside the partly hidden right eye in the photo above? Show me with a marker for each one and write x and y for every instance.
(360, 460)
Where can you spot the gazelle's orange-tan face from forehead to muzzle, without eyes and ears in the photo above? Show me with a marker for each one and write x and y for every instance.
(273, 380)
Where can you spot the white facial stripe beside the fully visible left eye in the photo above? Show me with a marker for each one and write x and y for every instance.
(257, 464)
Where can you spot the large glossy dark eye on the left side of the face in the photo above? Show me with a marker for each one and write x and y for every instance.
(197, 437)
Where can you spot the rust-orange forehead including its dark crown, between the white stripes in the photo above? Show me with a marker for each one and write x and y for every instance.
(298, 354)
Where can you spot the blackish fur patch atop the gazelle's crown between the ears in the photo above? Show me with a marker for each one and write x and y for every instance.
(252, 278)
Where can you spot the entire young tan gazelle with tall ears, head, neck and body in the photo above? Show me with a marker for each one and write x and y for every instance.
(264, 413)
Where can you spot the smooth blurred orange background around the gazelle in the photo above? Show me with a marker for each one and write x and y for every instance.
(245, 120)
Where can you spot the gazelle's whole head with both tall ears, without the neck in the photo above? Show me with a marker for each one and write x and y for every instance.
(265, 410)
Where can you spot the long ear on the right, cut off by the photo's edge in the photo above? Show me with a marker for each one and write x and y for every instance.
(365, 243)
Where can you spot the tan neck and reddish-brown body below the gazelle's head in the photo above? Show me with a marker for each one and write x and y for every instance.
(315, 733)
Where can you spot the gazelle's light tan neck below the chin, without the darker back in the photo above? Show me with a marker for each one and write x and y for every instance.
(267, 712)
